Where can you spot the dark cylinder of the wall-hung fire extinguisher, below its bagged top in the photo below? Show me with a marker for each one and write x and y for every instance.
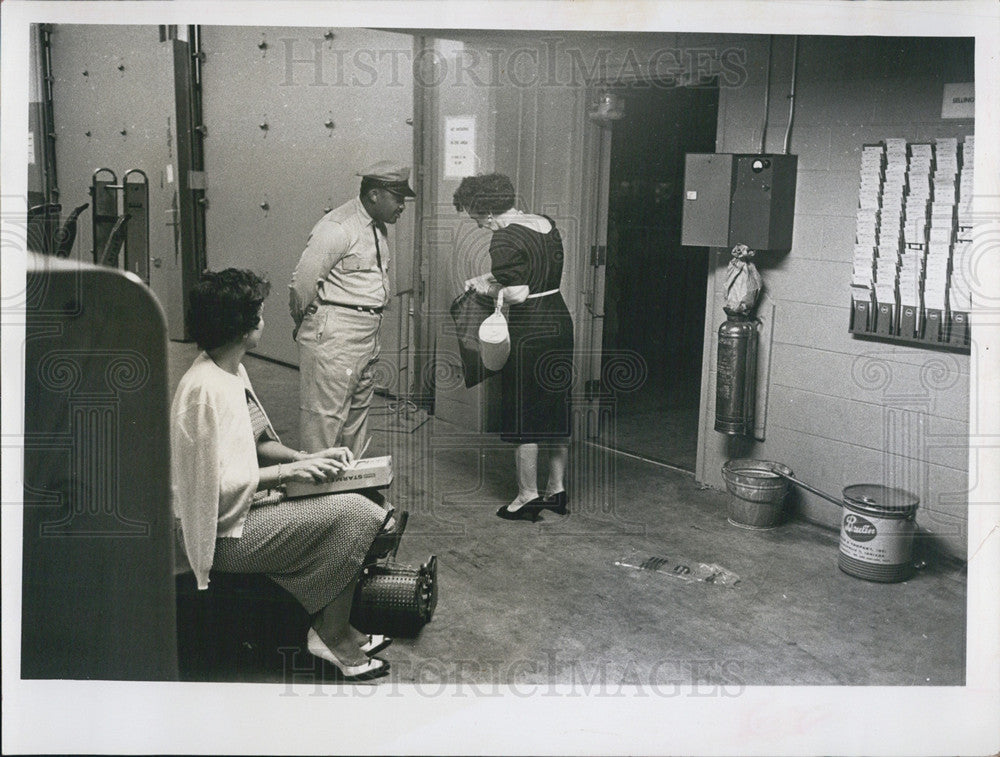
(735, 388)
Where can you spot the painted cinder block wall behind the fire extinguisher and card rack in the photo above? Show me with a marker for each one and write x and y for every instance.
(841, 410)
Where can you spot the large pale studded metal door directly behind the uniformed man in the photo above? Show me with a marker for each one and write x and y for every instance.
(290, 116)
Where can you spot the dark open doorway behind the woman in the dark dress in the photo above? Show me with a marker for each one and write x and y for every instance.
(654, 295)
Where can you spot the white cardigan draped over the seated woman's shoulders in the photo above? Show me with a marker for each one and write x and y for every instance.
(213, 459)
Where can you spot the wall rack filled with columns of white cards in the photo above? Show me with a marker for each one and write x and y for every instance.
(912, 244)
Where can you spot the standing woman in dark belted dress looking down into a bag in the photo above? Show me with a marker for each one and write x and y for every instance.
(526, 258)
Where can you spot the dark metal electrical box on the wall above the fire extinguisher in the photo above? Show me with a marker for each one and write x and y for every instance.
(732, 199)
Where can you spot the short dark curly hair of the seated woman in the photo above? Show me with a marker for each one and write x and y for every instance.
(224, 306)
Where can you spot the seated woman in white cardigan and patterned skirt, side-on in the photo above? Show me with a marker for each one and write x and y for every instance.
(228, 467)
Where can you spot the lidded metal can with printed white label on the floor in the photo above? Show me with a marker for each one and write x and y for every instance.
(876, 532)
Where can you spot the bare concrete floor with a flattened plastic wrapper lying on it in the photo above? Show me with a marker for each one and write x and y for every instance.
(525, 603)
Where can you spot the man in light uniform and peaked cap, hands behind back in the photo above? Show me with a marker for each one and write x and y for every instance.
(338, 292)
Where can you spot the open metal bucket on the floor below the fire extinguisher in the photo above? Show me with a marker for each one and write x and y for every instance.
(757, 493)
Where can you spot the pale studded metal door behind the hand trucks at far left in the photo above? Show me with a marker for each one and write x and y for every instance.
(113, 107)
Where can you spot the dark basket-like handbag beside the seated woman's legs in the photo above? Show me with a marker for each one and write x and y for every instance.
(395, 599)
